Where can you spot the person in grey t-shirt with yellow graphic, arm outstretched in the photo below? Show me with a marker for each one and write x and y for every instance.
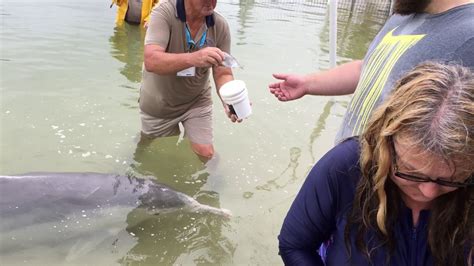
(426, 30)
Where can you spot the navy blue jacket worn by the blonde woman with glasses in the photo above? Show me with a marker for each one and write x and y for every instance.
(319, 212)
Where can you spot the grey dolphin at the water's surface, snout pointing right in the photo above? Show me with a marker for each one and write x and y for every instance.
(38, 197)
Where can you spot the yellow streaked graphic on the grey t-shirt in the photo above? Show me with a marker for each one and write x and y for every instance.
(377, 68)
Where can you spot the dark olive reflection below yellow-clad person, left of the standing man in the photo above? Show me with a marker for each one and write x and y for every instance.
(127, 47)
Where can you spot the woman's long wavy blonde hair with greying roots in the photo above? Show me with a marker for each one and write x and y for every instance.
(433, 107)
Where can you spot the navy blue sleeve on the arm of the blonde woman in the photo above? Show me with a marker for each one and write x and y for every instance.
(311, 219)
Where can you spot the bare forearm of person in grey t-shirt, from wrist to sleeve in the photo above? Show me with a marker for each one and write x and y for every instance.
(340, 80)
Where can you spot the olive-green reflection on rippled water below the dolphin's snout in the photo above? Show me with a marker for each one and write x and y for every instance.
(177, 238)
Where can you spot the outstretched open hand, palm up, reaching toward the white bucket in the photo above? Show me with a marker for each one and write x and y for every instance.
(291, 87)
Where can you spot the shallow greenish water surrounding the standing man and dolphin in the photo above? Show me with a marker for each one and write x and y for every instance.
(69, 89)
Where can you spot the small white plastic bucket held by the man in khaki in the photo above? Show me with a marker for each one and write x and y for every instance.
(234, 93)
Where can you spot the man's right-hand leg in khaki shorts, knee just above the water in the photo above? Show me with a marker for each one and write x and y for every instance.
(198, 128)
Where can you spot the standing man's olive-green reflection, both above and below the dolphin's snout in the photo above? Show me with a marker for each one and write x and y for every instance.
(180, 237)
